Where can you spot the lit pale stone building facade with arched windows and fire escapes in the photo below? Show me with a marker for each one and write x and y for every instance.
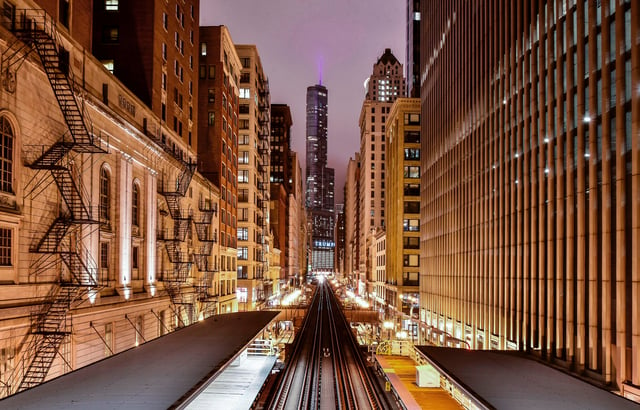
(107, 233)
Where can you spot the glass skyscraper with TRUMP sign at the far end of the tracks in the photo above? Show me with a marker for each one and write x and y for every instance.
(320, 181)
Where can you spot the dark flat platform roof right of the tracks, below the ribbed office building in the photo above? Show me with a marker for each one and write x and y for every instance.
(509, 380)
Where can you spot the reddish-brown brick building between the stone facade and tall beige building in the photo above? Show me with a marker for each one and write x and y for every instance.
(218, 89)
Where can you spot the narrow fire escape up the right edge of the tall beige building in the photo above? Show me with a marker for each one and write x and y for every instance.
(264, 133)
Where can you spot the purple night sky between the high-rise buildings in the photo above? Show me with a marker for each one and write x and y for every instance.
(303, 41)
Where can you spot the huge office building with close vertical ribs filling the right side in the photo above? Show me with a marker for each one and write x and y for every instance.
(530, 142)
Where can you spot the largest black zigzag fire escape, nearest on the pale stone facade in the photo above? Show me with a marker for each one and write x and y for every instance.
(36, 31)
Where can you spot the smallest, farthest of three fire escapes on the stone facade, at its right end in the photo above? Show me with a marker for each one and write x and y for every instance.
(202, 257)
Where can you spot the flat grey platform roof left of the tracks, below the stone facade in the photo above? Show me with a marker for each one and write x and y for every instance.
(159, 374)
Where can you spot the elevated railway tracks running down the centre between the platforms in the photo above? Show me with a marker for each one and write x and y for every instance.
(326, 369)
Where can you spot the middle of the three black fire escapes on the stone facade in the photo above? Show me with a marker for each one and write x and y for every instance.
(176, 279)
